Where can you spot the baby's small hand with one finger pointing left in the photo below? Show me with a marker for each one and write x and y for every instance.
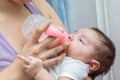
(32, 65)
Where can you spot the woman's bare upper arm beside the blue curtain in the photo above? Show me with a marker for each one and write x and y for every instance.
(47, 11)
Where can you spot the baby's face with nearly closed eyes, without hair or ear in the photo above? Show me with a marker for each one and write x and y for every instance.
(82, 43)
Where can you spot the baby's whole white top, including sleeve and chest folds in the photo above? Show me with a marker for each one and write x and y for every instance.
(71, 68)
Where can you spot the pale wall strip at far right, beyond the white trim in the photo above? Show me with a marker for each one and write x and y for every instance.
(113, 8)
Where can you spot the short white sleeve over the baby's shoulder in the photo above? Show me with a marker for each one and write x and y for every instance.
(74, 69)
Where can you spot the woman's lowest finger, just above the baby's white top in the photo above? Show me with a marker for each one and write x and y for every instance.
(53, 61)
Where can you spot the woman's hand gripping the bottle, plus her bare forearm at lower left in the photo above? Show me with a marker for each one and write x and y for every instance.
(34, 49)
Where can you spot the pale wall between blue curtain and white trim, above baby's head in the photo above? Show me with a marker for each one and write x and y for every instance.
(81, 13)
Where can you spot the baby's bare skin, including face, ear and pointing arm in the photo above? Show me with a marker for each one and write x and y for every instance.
(81, 47)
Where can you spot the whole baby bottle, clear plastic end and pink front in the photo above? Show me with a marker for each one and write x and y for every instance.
(34, 20)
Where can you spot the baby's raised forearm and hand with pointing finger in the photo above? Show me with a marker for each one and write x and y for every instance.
(34, 68)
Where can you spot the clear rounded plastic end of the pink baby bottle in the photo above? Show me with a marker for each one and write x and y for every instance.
(31, 23)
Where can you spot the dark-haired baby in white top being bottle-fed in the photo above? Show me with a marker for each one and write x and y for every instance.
(89, 52)
